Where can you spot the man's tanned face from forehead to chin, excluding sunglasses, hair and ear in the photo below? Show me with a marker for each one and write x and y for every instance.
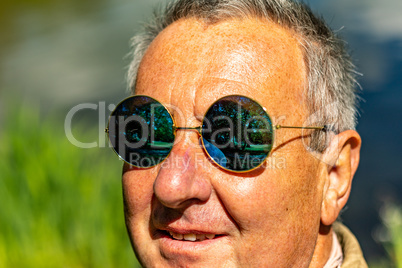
(269, 217)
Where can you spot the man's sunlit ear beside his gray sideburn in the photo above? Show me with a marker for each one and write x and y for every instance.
(344, 152)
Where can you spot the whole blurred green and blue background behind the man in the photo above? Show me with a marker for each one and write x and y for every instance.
(61, 206)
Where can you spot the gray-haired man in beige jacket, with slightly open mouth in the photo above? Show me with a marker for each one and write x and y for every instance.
(191, 210)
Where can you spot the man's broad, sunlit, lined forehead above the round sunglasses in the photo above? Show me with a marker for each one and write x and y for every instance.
(199, 62)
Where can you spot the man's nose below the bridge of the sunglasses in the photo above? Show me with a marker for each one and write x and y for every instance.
(182, 180)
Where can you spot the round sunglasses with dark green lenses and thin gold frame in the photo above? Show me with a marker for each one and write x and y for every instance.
(236, 133)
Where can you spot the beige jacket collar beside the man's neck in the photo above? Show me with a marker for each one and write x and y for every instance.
(352, 254)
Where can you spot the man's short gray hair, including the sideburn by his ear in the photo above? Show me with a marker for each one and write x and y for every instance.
(331, 93)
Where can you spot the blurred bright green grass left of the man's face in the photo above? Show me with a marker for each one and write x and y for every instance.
(60, 206)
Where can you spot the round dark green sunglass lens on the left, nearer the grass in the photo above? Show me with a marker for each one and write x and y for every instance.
(141, 131)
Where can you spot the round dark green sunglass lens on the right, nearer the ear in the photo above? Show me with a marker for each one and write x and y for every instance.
(237, 133)
